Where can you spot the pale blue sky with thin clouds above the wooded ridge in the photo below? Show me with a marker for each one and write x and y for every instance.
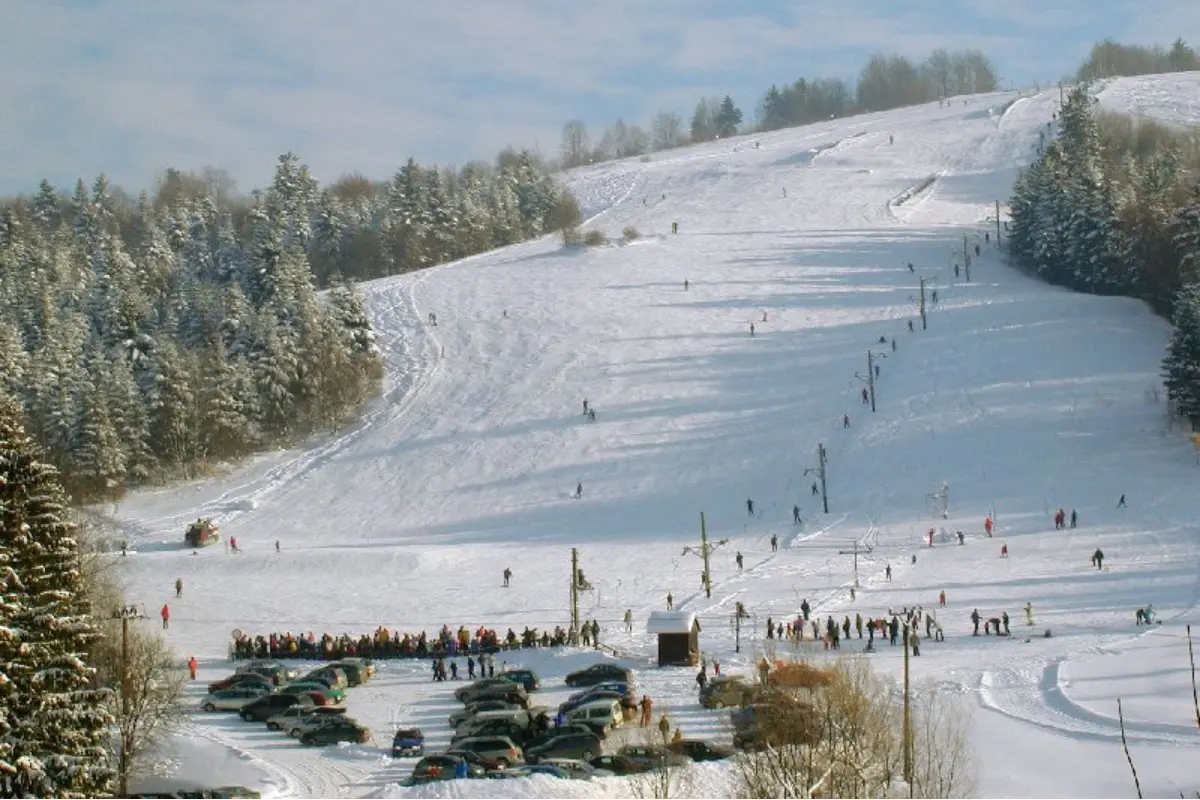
(129, 88)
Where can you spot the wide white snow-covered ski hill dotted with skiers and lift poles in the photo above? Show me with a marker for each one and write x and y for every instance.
(1021, 398)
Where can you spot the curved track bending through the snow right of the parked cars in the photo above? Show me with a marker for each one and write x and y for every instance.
(1042, 702)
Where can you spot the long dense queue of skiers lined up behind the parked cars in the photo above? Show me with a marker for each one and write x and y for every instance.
(393, 645)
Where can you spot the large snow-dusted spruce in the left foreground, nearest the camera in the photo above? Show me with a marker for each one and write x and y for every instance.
(55, 726)
